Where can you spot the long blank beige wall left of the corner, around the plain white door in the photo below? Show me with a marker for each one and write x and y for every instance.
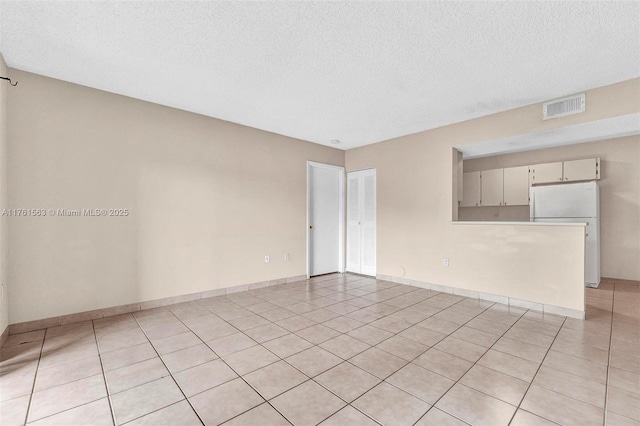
(207, 200)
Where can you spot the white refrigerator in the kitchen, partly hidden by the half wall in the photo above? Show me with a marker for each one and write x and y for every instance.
(567, 203)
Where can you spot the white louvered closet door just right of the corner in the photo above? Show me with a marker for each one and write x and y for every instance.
(361, 222)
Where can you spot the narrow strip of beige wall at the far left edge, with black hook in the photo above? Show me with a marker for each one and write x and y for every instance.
(4, 88)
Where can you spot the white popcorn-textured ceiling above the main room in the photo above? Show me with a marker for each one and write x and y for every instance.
(358, 72)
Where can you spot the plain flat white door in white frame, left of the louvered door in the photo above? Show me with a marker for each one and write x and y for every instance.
(325, 218)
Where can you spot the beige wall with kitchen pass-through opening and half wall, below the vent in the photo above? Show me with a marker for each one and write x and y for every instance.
(415, 200)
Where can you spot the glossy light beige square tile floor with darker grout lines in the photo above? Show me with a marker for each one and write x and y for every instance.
(336, 350)
